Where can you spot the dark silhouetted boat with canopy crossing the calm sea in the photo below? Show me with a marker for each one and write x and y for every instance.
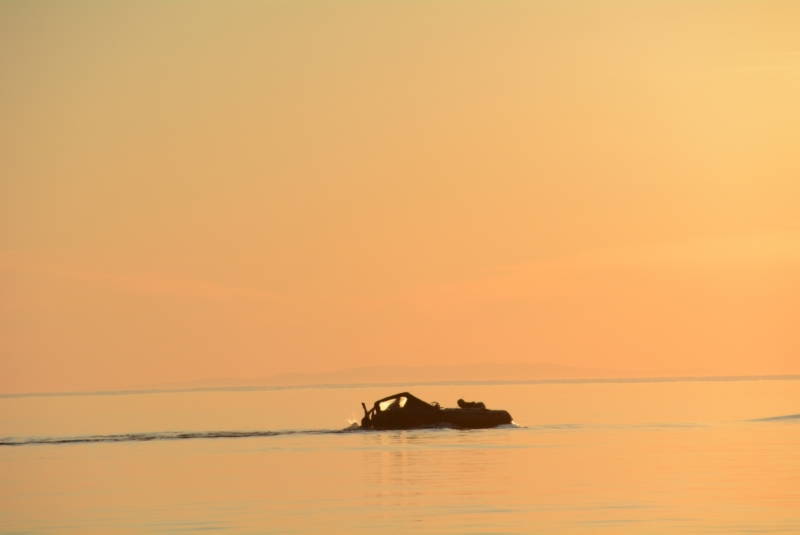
(406, 411)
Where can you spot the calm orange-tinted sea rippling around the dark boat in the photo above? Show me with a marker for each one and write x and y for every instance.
(681, 455)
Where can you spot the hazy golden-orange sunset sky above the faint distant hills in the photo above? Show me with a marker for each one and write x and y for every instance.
(225, 191)
